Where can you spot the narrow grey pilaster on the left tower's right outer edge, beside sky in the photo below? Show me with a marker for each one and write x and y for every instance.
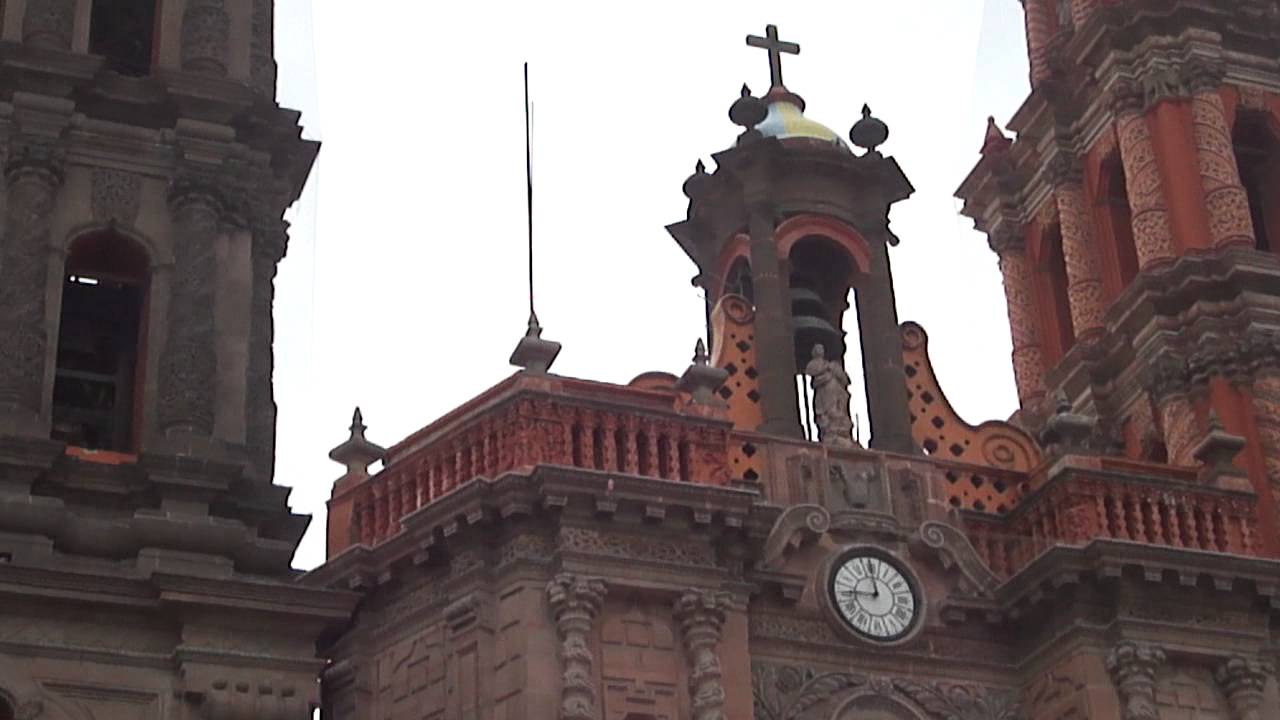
(271, 236)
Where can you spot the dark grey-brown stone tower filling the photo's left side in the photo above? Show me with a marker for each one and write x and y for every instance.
(145, 554)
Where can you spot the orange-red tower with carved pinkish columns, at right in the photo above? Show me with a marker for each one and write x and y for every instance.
(1135, 218)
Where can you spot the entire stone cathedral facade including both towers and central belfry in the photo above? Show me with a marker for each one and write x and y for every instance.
(700, 546)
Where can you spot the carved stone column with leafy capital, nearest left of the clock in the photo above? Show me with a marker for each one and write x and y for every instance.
(702, 617)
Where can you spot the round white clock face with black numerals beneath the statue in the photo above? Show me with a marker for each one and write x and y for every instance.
(874, 598)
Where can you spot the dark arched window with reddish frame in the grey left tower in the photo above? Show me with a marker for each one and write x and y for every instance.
(102, 343)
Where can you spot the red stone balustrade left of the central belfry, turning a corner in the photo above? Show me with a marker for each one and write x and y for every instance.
(524, 423)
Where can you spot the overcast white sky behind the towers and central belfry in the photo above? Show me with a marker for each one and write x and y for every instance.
(404, 289)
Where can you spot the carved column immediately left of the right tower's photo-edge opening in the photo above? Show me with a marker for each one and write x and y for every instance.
(1228, 204)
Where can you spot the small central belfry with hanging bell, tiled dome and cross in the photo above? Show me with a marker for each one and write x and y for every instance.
(789, 222)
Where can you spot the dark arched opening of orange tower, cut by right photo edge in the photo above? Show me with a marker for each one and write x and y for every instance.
(1258, 154)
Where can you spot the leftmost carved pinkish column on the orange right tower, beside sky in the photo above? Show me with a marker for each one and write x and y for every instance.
(1023, 325)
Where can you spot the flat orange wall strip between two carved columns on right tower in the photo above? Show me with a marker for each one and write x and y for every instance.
(1171, 125)
